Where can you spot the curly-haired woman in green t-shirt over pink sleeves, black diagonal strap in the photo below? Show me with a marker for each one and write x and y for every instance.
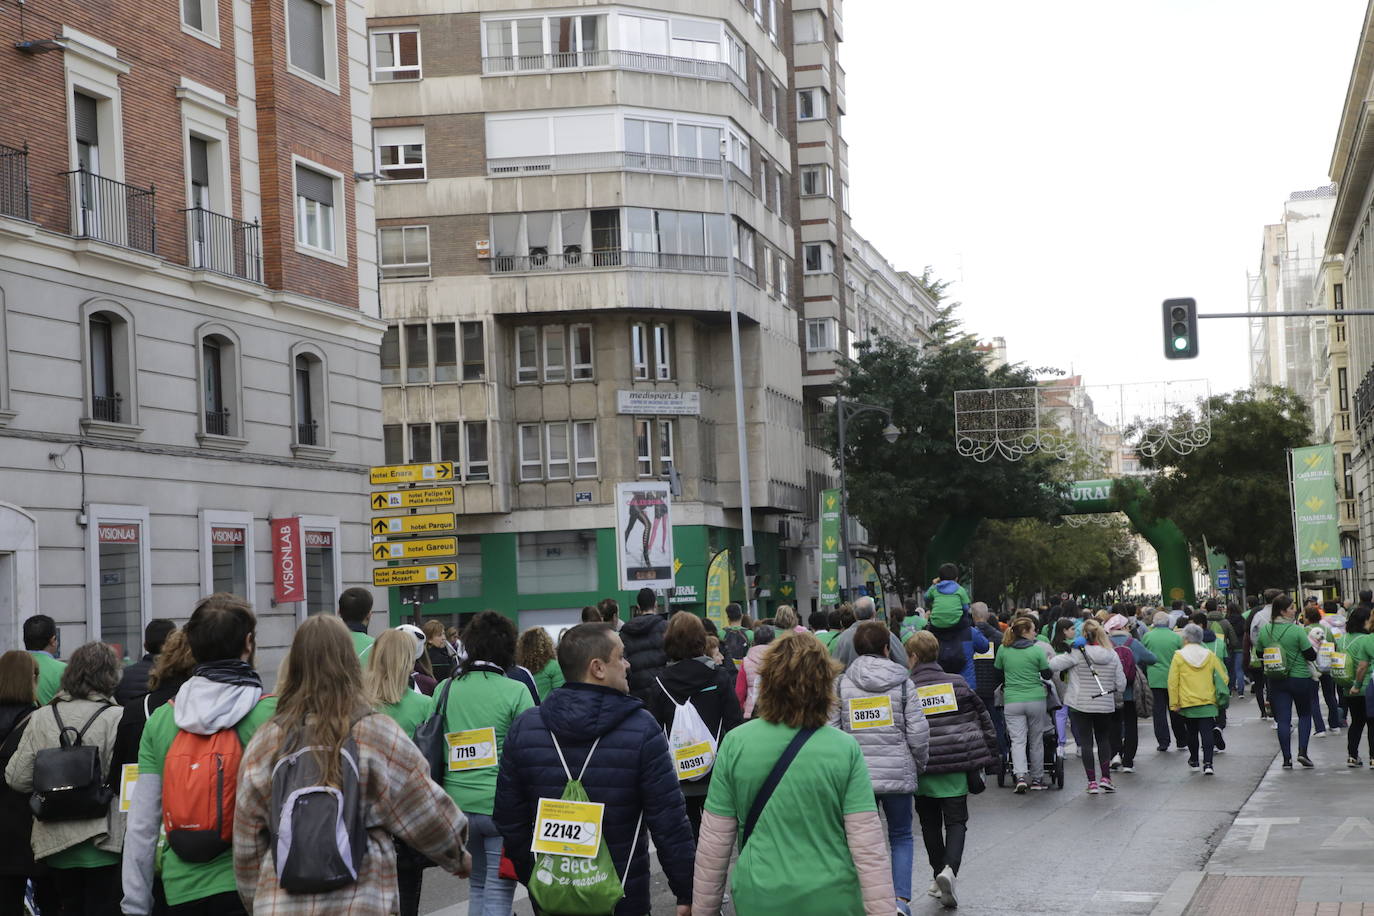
(821, 808)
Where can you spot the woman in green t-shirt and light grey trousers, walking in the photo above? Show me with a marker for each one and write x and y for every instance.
(1026, 674)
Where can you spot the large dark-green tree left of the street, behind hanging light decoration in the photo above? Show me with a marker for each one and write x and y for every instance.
(905, 491)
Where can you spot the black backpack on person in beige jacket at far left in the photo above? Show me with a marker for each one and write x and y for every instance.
(68, 781)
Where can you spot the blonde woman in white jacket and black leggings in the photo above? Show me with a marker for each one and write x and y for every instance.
(1097, 689)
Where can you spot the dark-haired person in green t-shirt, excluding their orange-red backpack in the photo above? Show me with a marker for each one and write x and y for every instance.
(223, 693)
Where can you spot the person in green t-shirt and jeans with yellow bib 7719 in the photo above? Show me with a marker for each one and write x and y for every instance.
(479, 708)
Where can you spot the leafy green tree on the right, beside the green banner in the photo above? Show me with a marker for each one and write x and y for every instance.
(1233, 492)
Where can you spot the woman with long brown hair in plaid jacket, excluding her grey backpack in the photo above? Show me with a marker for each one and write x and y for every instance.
(322, 705)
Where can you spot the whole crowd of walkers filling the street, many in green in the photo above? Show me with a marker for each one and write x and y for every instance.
(179, 786)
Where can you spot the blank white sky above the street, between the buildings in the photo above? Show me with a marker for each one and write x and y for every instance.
(1072, 164)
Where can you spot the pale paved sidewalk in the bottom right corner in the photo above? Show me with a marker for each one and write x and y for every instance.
(1300, 847)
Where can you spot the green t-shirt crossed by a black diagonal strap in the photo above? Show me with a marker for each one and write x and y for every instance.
(828, 781)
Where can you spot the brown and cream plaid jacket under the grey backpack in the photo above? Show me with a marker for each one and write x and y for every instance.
(401, 801)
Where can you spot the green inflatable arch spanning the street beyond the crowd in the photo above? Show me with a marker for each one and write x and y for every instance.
(1089, 498)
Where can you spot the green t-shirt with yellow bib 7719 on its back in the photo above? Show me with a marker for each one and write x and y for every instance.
(482, 700)
